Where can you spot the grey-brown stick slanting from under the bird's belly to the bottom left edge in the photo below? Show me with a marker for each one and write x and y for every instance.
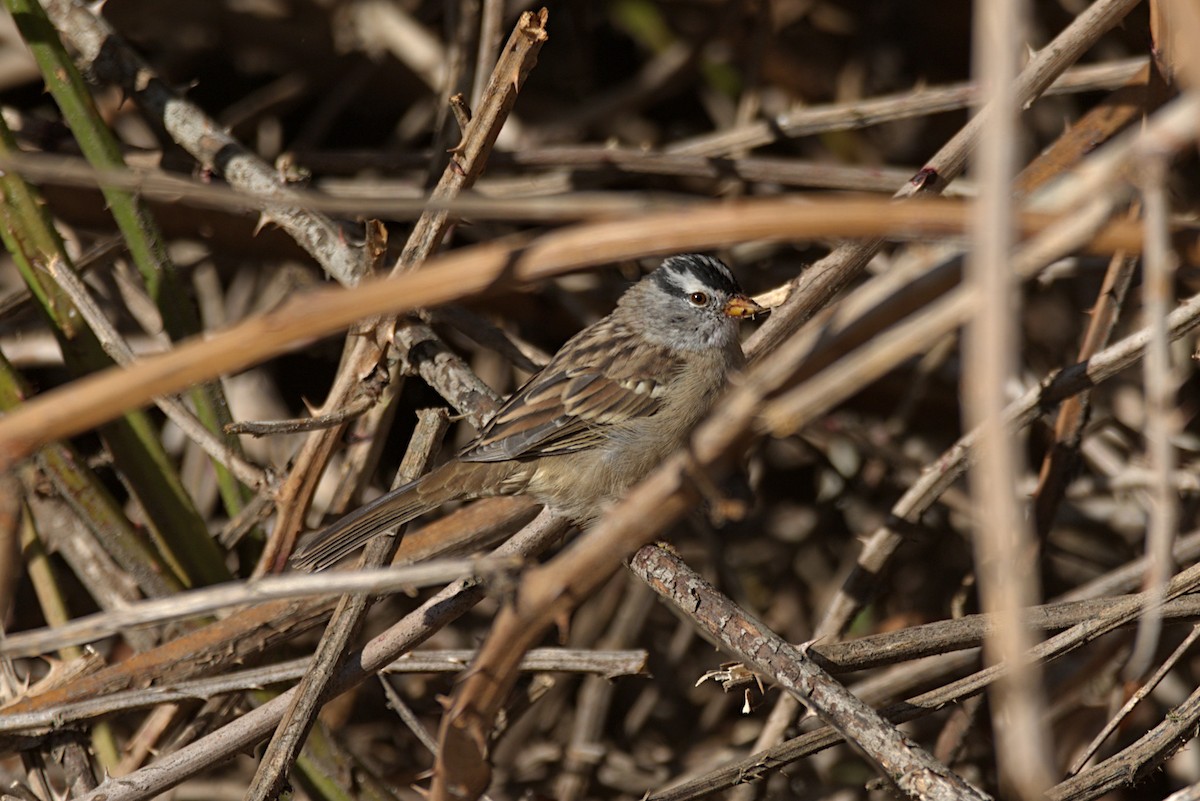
(248, 730)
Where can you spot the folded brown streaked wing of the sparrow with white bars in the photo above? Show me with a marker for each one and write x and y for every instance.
(592, 384)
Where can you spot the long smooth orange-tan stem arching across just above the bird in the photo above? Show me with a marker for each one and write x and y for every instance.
(98, 399)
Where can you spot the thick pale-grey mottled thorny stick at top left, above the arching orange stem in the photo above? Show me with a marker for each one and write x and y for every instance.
(105, 56)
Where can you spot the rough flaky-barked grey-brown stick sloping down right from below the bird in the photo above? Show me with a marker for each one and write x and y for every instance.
(897, 758)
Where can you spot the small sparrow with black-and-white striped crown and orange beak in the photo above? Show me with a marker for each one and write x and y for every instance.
(609, 407)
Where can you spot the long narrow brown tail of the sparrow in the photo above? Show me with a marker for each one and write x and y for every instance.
(455, 480)
